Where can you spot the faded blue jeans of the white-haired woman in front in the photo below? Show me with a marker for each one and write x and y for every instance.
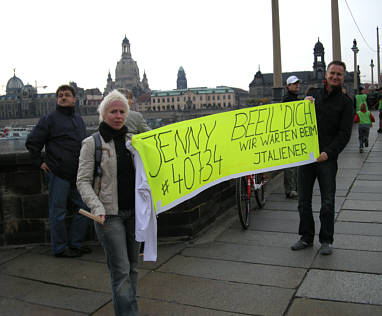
(117, 237)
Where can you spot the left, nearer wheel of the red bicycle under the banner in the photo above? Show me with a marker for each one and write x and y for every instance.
(243, 200)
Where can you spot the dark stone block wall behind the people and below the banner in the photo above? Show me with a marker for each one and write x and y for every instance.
(24, 206)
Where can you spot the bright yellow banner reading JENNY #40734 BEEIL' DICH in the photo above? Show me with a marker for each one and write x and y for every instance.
(185, 158)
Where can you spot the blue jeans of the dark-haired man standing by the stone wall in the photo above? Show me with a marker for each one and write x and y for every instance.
(59, 192)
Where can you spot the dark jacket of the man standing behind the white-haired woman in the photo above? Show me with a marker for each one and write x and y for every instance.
(61, 132)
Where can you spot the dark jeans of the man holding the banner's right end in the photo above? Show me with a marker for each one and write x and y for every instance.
(325, 172)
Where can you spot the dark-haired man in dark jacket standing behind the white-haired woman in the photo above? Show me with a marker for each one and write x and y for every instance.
(61, 133)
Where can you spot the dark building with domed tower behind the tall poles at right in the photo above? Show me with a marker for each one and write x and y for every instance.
(262, 84)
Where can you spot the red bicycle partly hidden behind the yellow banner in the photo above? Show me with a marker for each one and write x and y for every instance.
(244, 198)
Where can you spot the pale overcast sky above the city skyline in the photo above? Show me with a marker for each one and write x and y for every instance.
(218, 42)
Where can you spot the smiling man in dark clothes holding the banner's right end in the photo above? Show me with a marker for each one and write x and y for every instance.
(334, 112)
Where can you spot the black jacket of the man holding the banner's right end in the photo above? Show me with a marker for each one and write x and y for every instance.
(334, 114)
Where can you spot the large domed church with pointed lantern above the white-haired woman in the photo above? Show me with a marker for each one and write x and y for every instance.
(127, 75)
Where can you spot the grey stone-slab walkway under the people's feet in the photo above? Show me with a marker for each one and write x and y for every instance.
(228, 271)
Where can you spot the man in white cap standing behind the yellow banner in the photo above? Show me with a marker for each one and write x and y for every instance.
(290, 174)
